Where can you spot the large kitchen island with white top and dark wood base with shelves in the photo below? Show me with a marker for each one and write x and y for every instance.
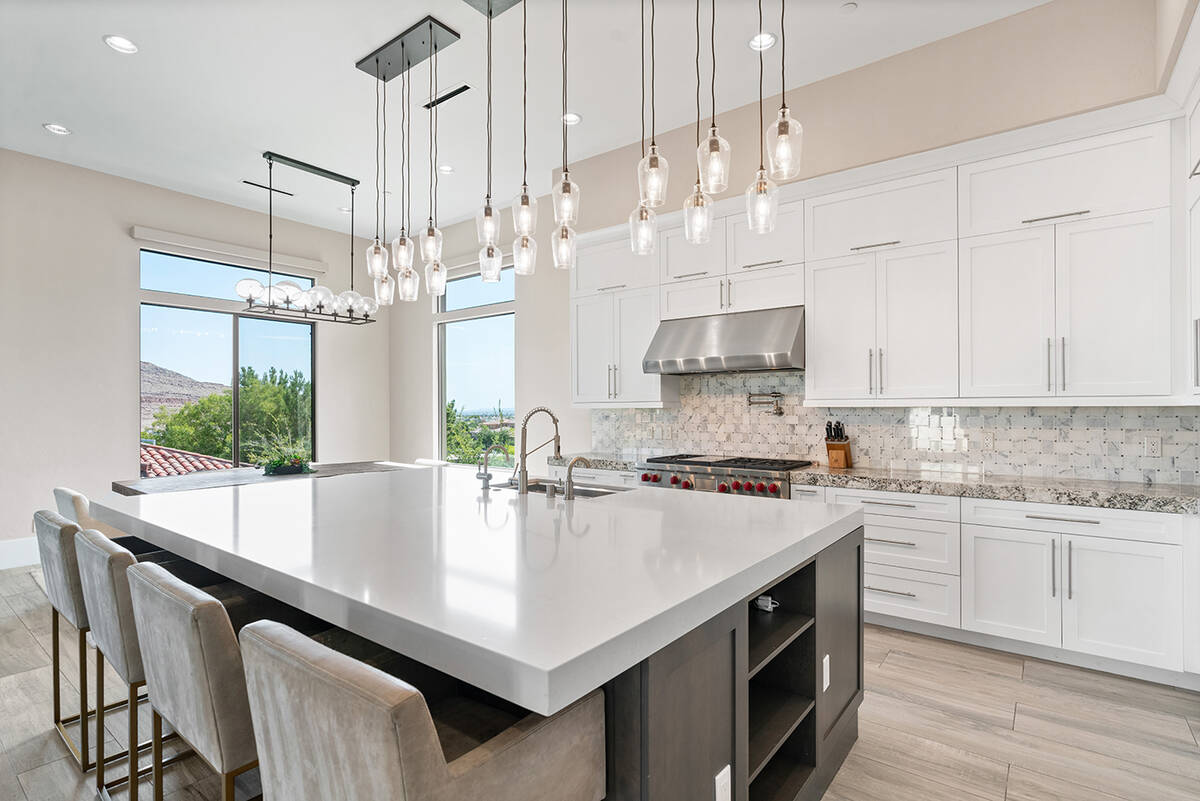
(541, 601)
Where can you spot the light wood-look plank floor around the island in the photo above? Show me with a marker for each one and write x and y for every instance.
(941, 722)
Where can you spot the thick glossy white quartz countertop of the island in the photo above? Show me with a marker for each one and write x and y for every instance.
(537, 601)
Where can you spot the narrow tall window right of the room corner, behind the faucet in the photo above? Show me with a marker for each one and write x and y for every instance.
(477, 370)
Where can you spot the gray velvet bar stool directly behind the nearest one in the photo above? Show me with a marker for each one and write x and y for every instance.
(194, 672)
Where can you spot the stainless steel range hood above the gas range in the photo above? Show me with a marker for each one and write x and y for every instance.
(729, 344)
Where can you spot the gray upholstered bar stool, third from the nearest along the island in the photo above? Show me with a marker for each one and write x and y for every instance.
(106, 593)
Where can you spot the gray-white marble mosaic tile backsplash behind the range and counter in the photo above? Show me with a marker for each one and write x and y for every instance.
(1101, 443)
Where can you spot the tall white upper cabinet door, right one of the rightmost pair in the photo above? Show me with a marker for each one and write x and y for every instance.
(1114, 300)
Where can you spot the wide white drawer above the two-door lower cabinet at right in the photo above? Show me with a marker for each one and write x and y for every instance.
(1087, 521)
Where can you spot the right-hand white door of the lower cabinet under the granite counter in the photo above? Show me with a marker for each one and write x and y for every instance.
(1124, 600)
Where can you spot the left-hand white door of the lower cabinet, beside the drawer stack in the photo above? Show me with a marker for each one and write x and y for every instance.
(1011, 585)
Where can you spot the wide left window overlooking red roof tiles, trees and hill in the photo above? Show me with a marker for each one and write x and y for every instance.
(219, 389)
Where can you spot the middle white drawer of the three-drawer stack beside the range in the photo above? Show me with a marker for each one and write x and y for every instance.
(913, 594)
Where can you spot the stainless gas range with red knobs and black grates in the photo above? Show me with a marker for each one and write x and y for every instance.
(722, 474)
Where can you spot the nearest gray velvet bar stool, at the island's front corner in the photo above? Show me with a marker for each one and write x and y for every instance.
(331, 727)
